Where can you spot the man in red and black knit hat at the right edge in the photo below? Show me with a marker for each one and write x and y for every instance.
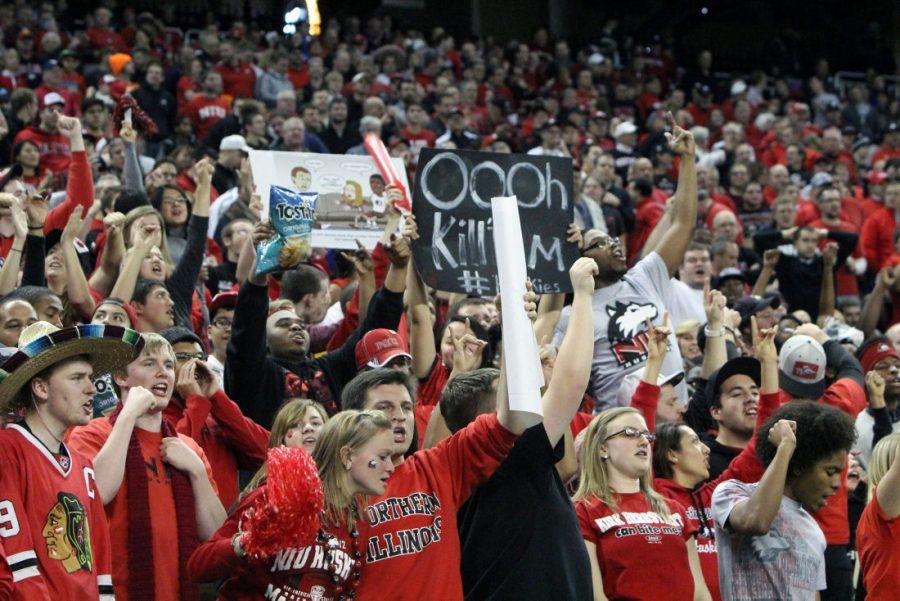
(881, 416)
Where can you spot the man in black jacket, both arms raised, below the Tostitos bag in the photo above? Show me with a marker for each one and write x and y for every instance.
(267, 357)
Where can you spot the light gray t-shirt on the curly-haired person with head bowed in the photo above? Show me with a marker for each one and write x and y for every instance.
(788, 562)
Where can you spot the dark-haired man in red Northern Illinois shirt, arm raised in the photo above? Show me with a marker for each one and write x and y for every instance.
(413, 547)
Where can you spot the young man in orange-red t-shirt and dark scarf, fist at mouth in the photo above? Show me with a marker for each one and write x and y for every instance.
(156, 484)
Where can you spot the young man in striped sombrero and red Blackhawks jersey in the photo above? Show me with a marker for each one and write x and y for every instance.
(53, 528)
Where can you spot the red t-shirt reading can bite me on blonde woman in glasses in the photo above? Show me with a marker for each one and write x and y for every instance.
(641, 554)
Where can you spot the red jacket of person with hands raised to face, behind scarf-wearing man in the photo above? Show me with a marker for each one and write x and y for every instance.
(230, 440)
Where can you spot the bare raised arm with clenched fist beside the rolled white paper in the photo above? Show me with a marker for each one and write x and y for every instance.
(573, 363)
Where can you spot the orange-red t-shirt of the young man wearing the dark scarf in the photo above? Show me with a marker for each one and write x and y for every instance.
(89, 440)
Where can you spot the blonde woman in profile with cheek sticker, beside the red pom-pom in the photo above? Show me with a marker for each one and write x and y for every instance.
(353, 456)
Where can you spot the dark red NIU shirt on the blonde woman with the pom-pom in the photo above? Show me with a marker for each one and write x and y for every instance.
(296, 573)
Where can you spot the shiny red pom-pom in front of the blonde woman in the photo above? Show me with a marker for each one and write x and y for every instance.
(289, 512)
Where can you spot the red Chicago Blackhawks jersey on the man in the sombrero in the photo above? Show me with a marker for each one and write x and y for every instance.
(52, 524)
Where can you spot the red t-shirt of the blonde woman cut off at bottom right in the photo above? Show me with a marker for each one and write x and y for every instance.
(878, 542)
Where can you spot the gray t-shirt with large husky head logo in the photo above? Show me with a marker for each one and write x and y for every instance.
(620, 330)
